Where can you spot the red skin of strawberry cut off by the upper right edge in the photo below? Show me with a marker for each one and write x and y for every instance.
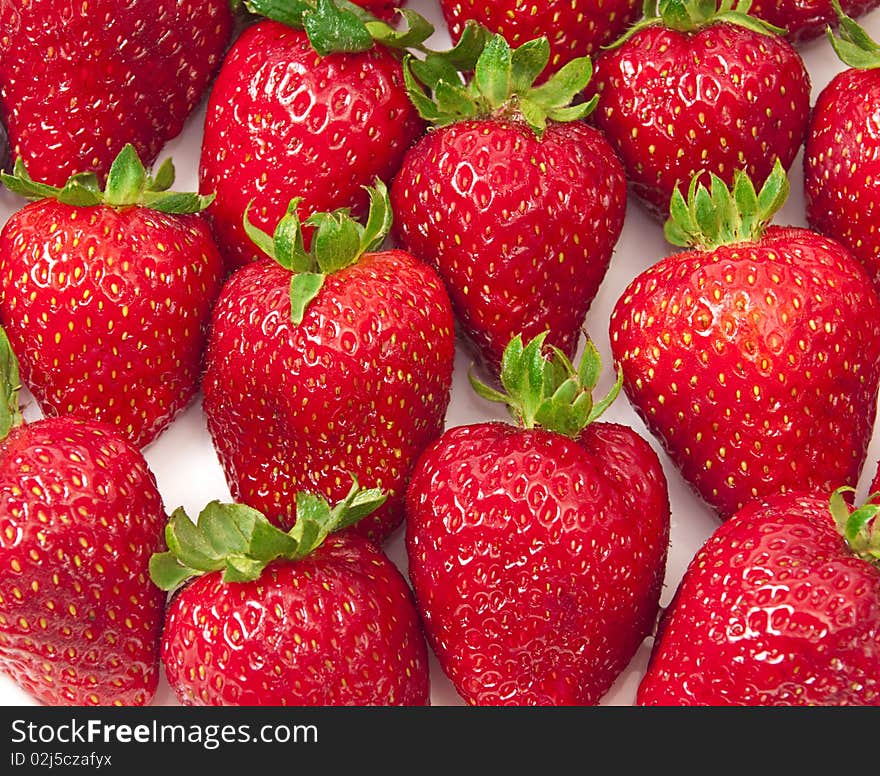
(842, 165)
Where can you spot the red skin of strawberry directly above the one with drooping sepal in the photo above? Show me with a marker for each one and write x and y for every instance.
(283, 122)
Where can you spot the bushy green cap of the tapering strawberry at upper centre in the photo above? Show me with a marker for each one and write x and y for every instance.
(499, 82)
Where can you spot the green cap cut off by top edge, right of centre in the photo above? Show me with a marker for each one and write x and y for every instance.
(692, 15)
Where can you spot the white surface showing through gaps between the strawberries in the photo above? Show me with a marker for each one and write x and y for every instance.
(189, 475)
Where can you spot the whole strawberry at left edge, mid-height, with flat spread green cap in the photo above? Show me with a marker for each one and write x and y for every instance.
(106, 295)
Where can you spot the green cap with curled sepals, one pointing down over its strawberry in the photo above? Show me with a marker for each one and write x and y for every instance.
(337, 242)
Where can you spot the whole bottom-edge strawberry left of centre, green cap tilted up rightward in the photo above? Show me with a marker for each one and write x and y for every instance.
(288, 619)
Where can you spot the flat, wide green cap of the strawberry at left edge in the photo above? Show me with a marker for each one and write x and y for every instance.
(128, 184)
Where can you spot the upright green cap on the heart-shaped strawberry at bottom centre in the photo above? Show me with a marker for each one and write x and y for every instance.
(541, 387)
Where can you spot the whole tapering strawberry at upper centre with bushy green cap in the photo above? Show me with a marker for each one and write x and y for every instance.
(516, 202)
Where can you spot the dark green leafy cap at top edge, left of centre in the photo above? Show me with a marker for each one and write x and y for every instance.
(341, 26)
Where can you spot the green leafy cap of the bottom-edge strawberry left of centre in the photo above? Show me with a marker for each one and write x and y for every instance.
(240, 541)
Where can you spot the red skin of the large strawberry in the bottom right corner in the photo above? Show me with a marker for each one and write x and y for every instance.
(774, 610)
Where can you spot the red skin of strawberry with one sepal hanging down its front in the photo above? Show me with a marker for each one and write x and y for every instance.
(360, 387)
